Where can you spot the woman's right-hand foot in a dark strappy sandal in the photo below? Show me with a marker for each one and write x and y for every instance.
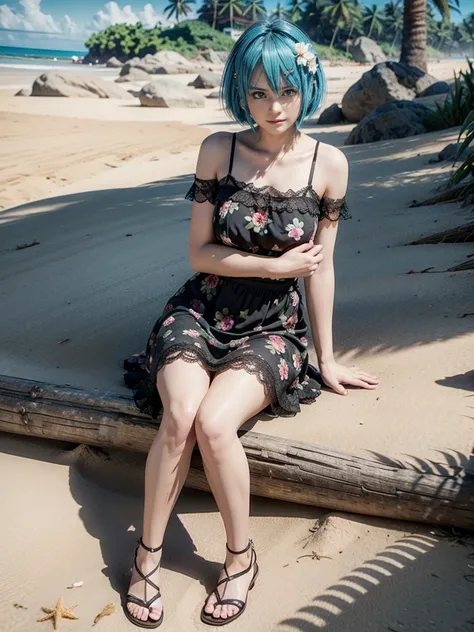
(235, 588)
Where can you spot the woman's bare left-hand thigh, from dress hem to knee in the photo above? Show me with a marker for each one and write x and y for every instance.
(182, 386)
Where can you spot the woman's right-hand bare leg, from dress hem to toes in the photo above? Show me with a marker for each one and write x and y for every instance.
(234, 397)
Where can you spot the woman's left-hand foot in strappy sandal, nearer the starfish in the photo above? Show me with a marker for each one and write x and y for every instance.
(146, 562)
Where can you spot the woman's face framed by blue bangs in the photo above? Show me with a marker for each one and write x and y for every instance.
(275, 113)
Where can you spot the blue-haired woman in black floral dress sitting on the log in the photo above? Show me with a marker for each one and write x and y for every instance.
(231, 342)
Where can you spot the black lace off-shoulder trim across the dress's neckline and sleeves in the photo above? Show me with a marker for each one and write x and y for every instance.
(304, 200)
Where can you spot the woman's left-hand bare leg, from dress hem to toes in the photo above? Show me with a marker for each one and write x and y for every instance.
(182, 387)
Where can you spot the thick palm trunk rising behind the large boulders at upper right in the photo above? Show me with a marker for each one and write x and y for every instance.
(414, 34)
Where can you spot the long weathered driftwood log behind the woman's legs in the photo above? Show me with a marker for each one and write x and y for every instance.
(280, 468)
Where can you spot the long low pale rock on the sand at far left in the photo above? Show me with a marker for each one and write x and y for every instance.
(55, 84)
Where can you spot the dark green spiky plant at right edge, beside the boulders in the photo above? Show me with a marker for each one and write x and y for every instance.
(458, 104)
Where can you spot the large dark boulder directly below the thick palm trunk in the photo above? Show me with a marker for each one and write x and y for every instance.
(387, 81)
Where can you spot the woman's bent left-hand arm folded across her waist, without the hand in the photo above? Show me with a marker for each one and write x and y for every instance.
(205, 255)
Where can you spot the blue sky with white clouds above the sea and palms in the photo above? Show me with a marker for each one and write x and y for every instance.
(62, 25)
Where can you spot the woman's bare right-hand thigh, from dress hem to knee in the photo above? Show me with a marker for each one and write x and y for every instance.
(233, 397)
